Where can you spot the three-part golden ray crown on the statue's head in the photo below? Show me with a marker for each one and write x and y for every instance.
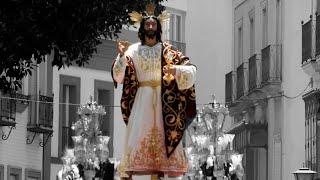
(137, 17)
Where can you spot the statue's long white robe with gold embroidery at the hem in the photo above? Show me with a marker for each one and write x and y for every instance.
(145, 151)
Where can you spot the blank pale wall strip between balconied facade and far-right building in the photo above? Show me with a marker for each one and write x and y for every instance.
(294, 82)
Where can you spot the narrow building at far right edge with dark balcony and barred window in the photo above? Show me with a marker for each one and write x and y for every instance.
(310, 55)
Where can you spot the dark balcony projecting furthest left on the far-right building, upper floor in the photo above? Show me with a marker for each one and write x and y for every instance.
(306, 42)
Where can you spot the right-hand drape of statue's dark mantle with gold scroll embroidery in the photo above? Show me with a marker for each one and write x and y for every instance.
(178, 107)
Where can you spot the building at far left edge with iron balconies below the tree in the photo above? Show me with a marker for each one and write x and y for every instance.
(26, 126)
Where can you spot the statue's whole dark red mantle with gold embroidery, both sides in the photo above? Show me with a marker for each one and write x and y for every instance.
(178, 106)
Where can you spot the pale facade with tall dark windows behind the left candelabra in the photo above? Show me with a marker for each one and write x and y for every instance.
(74, 86)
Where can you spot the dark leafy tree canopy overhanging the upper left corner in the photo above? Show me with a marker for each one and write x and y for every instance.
(71, 29)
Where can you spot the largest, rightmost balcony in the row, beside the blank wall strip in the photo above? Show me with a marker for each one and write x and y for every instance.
(271, 65)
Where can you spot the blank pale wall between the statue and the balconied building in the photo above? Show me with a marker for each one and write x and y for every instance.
(209, 42)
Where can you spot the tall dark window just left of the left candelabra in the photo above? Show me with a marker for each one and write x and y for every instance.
(69, 98)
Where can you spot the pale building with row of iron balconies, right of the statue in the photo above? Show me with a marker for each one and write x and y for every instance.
(265, 84)
